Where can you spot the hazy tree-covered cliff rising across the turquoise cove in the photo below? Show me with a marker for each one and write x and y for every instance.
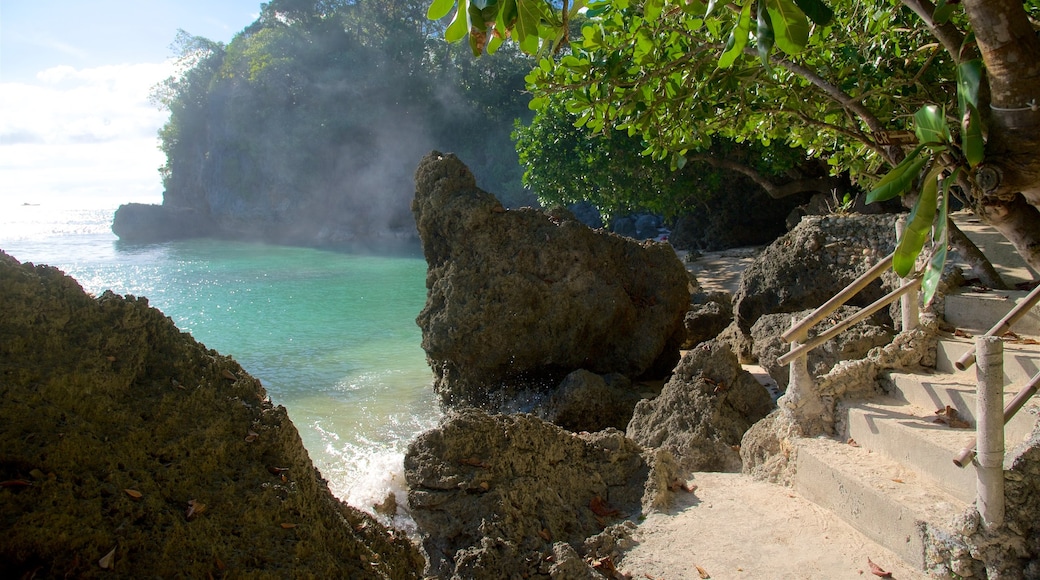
(311, 120)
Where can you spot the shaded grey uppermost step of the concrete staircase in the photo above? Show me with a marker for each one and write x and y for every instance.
(977, 312)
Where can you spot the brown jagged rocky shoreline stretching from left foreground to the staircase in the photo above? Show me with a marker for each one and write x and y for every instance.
(570, 415)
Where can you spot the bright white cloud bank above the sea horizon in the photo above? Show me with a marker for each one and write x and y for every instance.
(81, 134)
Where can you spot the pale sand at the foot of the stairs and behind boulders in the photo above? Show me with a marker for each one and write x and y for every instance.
(734, 526)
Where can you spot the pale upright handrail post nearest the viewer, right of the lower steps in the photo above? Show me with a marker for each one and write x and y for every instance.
(990, 429)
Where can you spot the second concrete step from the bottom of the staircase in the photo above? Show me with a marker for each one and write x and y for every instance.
(908, 435)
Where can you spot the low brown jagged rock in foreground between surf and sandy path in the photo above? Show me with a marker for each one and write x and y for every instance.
(492, 493)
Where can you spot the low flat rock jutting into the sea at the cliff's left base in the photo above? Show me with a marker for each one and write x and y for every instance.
(149, 223)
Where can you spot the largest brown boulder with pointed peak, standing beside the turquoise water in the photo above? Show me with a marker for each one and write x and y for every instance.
(518, 298)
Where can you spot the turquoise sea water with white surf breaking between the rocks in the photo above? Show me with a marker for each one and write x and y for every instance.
(330, 334)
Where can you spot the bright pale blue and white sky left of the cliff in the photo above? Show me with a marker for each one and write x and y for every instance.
(76, 126)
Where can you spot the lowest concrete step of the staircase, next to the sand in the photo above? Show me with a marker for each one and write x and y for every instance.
(888, 503)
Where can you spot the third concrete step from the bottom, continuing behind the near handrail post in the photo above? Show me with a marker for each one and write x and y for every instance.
(933, 392)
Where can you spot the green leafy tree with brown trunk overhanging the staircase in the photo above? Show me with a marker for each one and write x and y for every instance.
(845, 81)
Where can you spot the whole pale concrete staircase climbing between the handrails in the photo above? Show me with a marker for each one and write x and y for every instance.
(890, 472)
